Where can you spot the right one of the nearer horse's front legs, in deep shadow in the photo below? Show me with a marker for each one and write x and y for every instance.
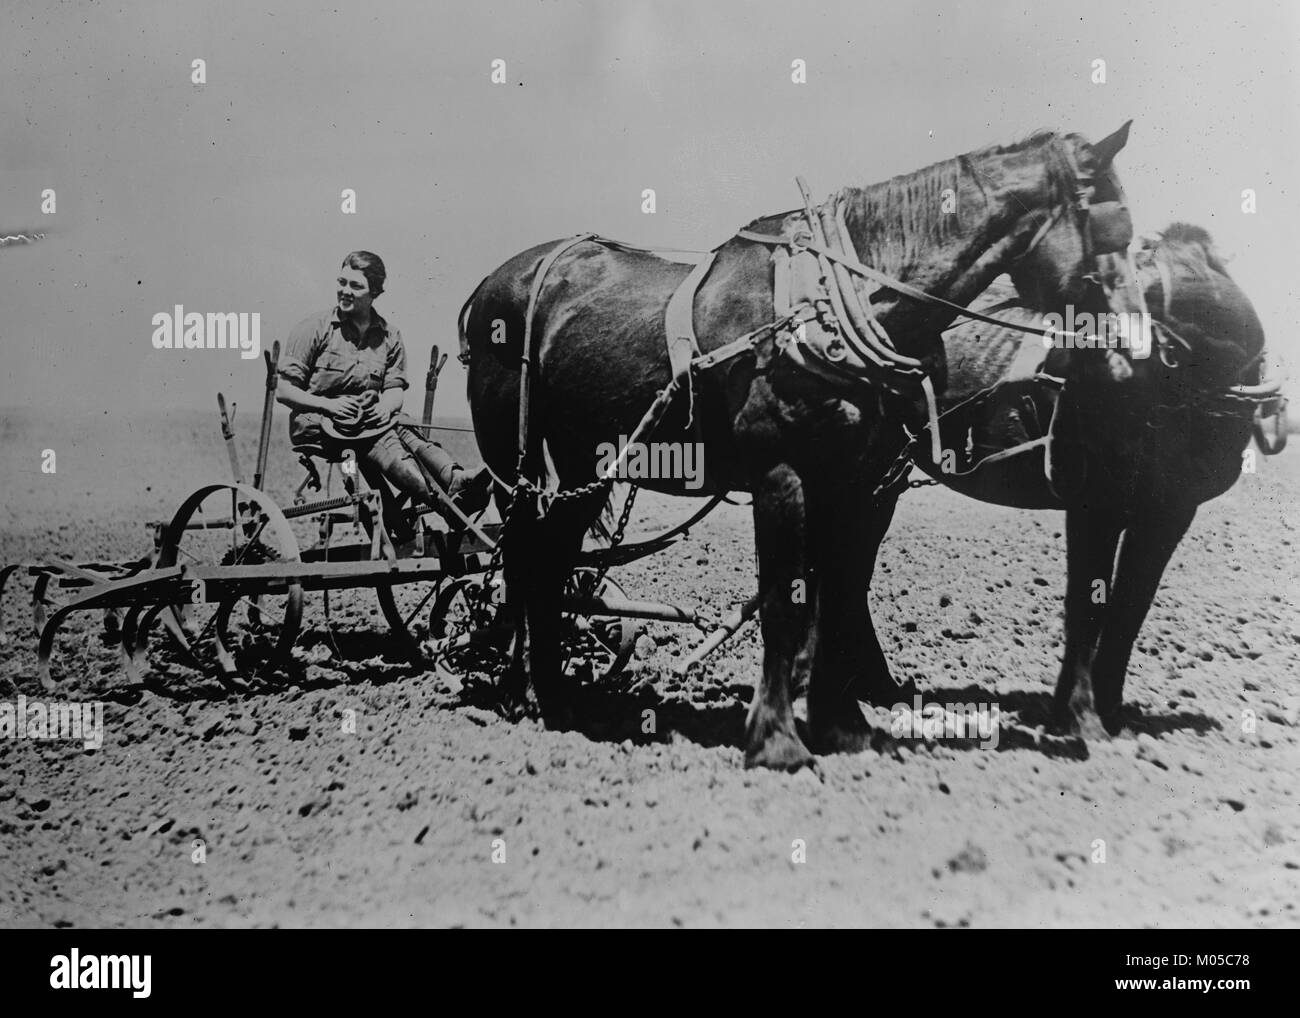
(846, 539)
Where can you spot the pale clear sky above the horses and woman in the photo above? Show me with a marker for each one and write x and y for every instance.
(226, 197)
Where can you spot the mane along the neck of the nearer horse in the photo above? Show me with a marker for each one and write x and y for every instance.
(898, 222)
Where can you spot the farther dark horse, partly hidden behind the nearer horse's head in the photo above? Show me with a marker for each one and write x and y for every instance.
(1130, 463)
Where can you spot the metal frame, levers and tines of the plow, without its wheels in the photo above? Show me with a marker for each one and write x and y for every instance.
(153, 587)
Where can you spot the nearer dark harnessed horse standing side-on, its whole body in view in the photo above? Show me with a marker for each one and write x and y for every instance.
(811, 450)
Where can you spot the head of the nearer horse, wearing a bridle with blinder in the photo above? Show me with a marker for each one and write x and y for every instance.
(1072, 213)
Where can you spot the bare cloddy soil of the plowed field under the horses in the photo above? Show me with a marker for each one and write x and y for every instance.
(398, 824)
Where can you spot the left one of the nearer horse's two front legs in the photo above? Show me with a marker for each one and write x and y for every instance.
(772, 739)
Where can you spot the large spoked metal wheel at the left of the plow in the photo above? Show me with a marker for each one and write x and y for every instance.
(252, 634)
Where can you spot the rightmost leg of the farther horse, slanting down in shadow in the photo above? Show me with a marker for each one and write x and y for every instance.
(1146, 552)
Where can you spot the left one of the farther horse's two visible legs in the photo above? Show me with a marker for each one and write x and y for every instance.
(1091, 540)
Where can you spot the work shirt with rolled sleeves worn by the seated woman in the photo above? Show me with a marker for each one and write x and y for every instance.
(328, 357)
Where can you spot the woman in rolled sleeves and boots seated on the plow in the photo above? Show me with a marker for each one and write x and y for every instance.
(344, 374)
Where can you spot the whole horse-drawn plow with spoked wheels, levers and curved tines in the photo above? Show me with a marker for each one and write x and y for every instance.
(235, 581)
